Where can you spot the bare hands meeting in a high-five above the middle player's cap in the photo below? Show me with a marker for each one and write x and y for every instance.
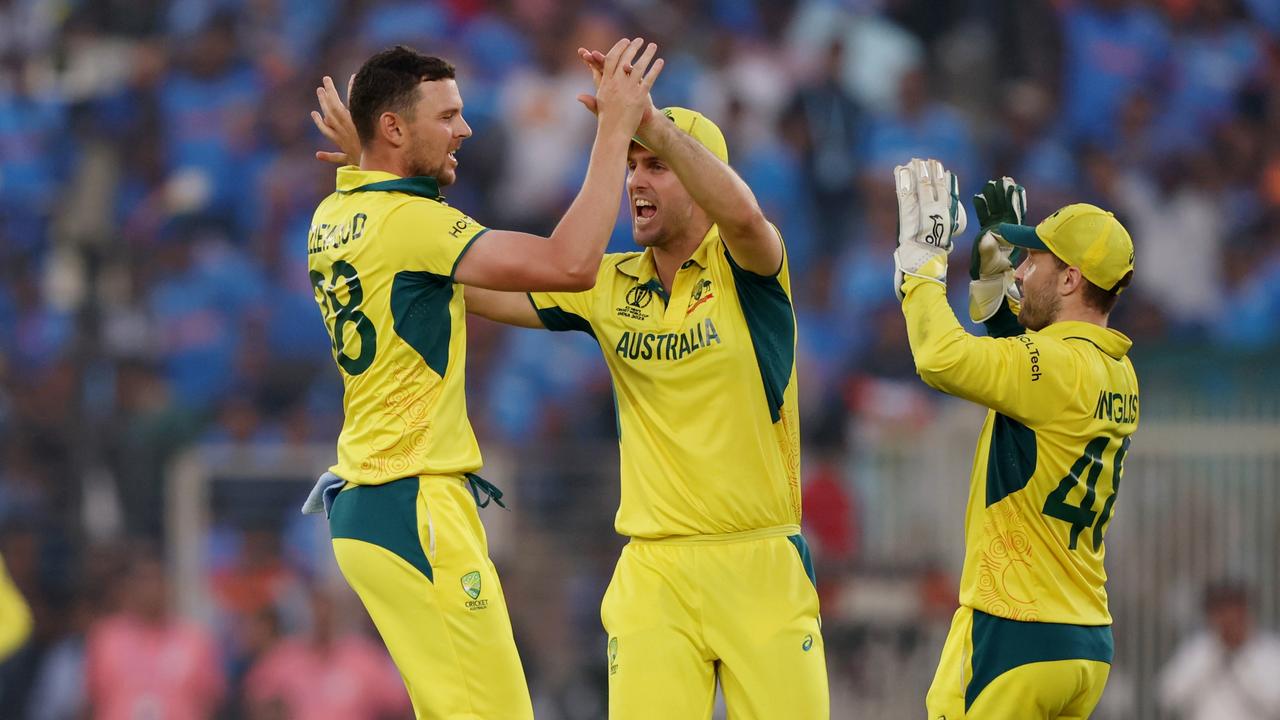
(623, 84)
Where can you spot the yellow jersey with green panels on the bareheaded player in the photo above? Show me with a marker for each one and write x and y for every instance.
(382, 253)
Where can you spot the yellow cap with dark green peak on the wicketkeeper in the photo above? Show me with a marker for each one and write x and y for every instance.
(1084, 236)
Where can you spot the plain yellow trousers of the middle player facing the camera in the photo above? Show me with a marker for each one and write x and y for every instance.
(680, 614)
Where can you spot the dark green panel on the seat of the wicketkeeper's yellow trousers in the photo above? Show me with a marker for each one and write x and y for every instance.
(1002, 645)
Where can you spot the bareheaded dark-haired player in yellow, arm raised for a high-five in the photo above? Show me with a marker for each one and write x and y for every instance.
(387, 258)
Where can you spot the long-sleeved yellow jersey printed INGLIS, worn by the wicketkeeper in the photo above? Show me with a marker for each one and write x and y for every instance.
(1064, 404)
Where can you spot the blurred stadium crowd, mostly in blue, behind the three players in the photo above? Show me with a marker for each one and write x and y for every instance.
(166, 384)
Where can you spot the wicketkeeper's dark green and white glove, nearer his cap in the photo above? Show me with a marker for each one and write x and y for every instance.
(993, 262)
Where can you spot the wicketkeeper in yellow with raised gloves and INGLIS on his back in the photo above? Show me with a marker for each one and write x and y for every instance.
(1032, 639)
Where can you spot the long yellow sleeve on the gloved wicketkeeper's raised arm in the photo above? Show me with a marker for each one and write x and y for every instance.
(1028, 377)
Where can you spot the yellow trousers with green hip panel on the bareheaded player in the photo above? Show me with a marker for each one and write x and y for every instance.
(450, 636)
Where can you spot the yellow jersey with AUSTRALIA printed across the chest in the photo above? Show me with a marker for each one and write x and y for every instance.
(706, 390)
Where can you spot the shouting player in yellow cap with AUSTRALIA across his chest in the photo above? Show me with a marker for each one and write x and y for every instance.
(700, 334)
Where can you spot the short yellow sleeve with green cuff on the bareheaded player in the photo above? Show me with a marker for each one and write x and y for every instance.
(429, 236)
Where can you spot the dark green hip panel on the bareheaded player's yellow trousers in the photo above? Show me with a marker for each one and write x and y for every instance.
(385, 516)
